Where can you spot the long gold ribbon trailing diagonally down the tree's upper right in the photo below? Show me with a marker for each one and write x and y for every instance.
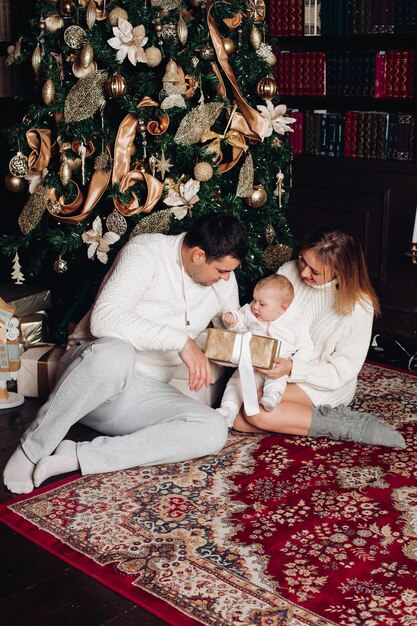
(257, 124)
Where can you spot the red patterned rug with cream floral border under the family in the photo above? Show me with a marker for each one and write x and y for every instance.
(272, 531)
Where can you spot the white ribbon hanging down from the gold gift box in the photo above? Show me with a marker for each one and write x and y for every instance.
(242, 358)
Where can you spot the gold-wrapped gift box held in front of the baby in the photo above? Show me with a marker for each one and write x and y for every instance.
(220, 346)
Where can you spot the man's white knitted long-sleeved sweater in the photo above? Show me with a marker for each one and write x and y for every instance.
(148, 300)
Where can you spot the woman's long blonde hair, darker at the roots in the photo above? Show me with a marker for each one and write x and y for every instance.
(343, 253)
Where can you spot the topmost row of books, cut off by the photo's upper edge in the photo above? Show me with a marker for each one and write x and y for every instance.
(294, 18)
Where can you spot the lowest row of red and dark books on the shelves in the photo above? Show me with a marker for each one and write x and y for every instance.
(356, 134)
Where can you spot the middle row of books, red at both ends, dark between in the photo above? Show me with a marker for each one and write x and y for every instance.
(368, 73)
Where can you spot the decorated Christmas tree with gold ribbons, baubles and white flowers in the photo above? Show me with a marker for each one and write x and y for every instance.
(144, 115)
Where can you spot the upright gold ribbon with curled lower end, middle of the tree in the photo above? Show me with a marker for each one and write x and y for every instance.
(121, 163)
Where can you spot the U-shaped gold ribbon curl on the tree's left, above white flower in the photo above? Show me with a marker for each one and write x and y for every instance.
(65, 212)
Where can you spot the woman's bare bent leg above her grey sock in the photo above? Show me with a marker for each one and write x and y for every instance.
(291, 417)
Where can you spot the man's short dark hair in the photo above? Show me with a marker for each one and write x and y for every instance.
(219, 235)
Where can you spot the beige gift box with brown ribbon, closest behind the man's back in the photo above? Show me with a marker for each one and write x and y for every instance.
(38, 370)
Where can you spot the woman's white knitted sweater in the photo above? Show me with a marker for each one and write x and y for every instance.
(340, 342)
